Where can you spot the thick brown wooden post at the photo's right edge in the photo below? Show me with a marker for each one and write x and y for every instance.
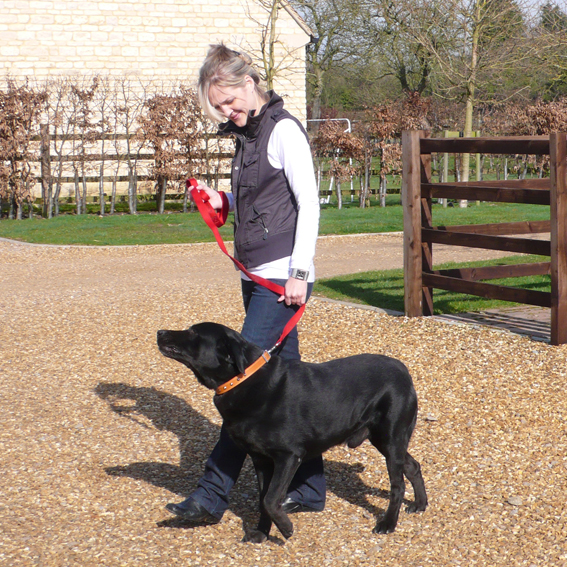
(558, 198)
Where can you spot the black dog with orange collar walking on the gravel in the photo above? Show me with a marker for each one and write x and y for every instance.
(291, 411)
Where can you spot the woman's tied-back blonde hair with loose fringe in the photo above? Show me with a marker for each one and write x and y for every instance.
(224, 67)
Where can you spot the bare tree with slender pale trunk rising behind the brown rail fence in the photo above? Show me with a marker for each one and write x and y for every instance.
(470, 45)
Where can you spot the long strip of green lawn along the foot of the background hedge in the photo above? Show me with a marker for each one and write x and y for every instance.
(176, 227)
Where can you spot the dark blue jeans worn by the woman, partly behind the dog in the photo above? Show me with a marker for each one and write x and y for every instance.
(263, 325)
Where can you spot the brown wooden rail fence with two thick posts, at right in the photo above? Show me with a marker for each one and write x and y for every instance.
(419, 233)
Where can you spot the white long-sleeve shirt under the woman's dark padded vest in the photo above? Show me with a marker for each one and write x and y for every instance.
(289, 150)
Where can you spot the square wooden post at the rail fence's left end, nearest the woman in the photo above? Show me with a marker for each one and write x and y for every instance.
(411, 200)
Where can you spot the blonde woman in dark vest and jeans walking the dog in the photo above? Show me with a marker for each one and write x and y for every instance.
(275, 201)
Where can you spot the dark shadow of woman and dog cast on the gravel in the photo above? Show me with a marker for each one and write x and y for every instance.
(149, 407)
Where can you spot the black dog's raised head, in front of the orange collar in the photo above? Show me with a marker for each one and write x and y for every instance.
(213, 352)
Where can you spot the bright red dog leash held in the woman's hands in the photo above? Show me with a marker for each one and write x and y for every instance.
(214, 221)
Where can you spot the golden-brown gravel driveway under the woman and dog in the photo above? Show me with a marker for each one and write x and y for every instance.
(99, 431)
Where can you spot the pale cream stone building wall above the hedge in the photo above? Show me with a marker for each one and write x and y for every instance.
(161, 39)
